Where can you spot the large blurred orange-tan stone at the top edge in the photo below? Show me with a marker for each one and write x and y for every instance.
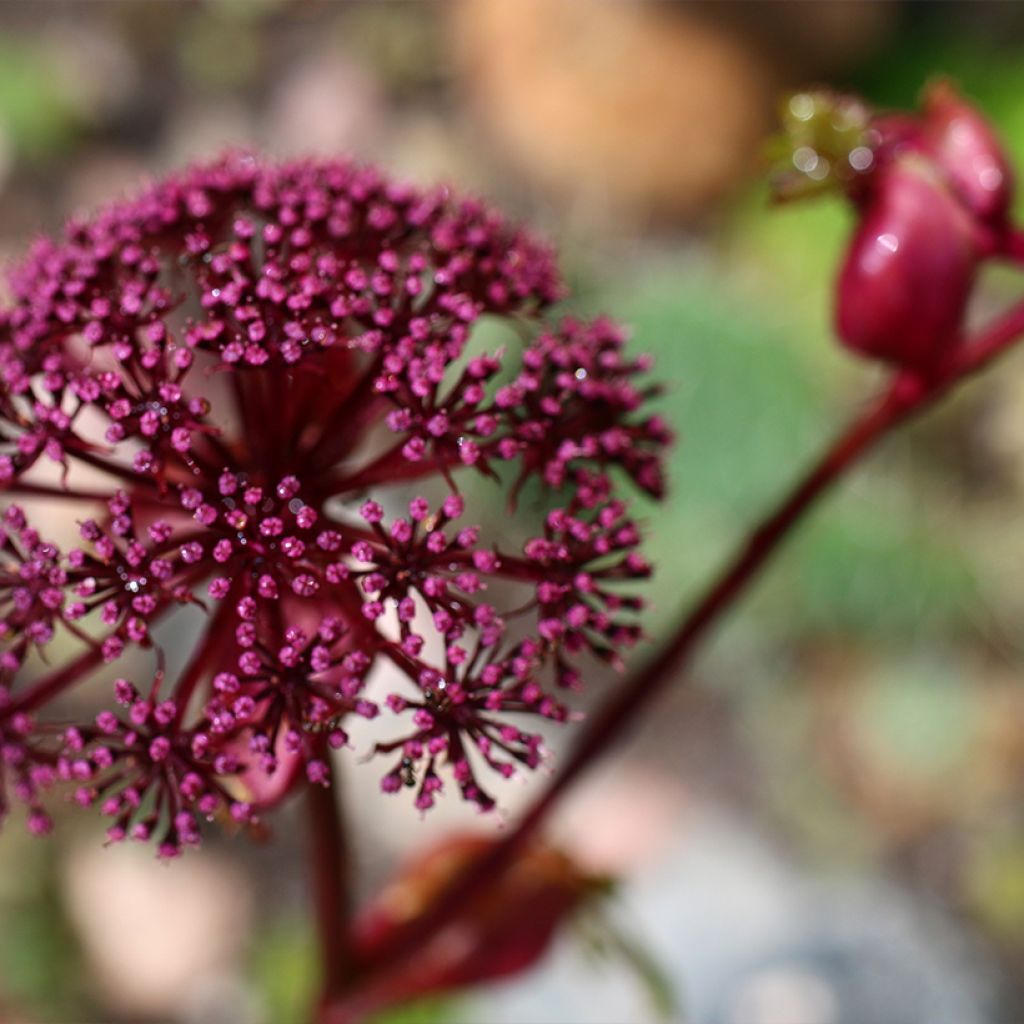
(654, 112)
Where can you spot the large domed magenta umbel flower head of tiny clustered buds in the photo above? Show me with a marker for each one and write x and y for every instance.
(254, 392)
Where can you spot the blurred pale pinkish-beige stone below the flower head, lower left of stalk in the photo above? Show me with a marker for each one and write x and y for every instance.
(154, 931)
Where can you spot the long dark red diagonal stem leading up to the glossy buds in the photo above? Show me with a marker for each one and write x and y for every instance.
(907, 397)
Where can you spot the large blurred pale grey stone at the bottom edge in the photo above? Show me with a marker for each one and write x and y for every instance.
(747, 938)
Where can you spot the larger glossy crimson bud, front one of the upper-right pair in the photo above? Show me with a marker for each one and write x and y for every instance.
(908, 276)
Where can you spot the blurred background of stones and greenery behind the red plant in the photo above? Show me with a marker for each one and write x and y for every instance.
(826, 826)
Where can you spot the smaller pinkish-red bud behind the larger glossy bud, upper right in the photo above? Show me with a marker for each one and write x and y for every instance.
(967, 150)
